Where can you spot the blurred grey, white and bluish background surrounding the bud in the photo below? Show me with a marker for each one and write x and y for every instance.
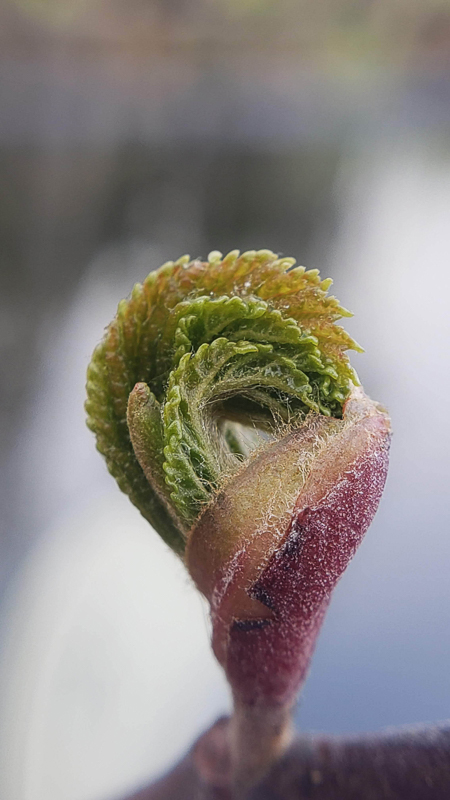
(133, 132)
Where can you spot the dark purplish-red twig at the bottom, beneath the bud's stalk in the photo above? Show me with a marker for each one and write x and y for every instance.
(404, 764)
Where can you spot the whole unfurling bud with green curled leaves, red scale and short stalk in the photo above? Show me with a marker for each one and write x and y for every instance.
(225, 405)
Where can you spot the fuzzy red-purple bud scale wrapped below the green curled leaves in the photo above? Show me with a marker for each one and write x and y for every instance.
(270, 592)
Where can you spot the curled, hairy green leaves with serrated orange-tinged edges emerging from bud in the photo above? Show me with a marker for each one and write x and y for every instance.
(201, 364)
